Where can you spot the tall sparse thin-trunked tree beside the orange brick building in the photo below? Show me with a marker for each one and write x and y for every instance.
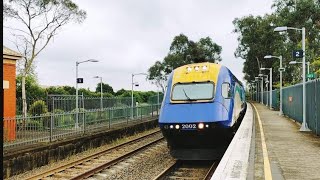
(36, 23)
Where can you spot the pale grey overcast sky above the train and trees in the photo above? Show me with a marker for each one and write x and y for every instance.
(129, 36)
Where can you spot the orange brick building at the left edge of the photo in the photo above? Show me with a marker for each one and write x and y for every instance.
(9, 93)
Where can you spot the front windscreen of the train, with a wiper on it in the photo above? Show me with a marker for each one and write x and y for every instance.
(193, 91)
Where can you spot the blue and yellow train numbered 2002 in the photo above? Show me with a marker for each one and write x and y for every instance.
(203, 105)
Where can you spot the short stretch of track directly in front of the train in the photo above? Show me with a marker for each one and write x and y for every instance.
(189, 170)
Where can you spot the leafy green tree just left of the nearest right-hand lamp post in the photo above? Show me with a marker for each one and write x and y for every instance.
(256, 40)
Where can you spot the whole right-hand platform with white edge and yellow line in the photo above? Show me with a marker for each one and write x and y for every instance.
(269, 146)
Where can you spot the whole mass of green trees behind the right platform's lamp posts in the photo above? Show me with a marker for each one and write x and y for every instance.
(257, 38)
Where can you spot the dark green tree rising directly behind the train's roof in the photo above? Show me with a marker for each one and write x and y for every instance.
(183, 51)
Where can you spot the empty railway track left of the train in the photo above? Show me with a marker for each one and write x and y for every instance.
(90, 165)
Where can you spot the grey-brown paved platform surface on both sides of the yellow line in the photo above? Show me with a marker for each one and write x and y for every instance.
(292, 154)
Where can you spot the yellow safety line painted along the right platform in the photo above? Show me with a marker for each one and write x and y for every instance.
(266, 163)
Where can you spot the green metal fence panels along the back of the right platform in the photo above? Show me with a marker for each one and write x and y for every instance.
(292, 103)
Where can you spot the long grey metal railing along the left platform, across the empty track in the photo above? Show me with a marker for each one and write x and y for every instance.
(53, 126)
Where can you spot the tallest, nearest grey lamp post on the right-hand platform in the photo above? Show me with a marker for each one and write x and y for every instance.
(304, 126)
